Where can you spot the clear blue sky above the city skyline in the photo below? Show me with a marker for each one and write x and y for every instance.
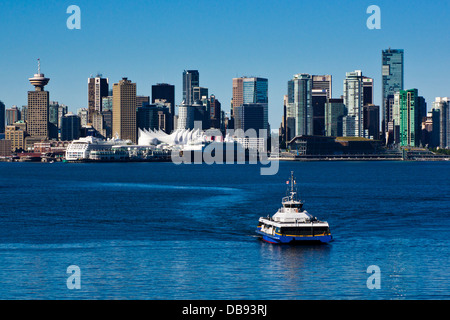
(154, 41)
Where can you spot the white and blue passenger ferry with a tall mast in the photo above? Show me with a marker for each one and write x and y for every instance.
(292, 224)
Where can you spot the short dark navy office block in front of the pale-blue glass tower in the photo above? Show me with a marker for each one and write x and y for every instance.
(249, 116)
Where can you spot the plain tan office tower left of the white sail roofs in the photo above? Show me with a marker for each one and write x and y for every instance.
(124, 110)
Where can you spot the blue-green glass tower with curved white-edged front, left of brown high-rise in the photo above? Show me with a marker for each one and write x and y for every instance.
(300, 105)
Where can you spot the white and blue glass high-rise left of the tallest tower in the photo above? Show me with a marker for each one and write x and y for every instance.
(353, 100)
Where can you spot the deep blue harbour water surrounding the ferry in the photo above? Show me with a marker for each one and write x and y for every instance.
(185, 232)
